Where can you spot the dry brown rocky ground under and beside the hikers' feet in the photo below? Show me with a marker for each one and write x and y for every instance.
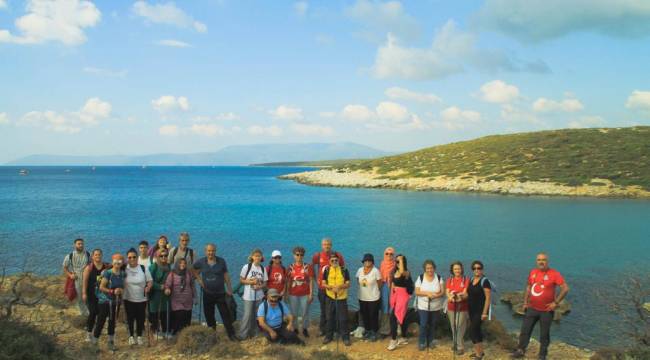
(55, 316)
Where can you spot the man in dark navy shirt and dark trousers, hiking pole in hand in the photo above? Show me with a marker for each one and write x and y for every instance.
(214, 275)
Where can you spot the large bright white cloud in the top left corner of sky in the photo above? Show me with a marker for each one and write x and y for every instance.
(63, 21)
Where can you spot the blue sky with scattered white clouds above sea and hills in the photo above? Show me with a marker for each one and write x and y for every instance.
(142, 77)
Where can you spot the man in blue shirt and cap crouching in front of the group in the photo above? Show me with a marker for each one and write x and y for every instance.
(271, 316)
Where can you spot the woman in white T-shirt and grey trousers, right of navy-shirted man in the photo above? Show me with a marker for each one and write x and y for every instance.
(254, 279)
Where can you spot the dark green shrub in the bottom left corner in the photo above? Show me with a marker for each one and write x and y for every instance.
(23, 341)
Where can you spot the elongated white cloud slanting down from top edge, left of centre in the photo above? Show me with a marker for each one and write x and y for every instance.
(167, 14)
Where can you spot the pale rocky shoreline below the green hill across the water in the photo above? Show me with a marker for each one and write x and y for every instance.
(601, 188)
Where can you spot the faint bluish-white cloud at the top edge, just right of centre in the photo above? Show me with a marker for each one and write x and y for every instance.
(378, 18)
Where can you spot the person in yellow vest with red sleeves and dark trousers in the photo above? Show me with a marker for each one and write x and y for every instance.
(336, 281)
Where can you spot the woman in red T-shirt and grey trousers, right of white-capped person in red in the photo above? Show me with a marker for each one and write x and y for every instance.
(300, 288)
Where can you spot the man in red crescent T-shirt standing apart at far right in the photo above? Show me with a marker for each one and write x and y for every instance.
(540, 303)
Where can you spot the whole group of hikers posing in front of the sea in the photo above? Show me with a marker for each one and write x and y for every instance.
(158, 282)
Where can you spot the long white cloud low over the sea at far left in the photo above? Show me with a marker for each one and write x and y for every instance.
(92, 112)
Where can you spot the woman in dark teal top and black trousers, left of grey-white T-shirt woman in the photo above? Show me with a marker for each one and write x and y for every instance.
(111, 289)
